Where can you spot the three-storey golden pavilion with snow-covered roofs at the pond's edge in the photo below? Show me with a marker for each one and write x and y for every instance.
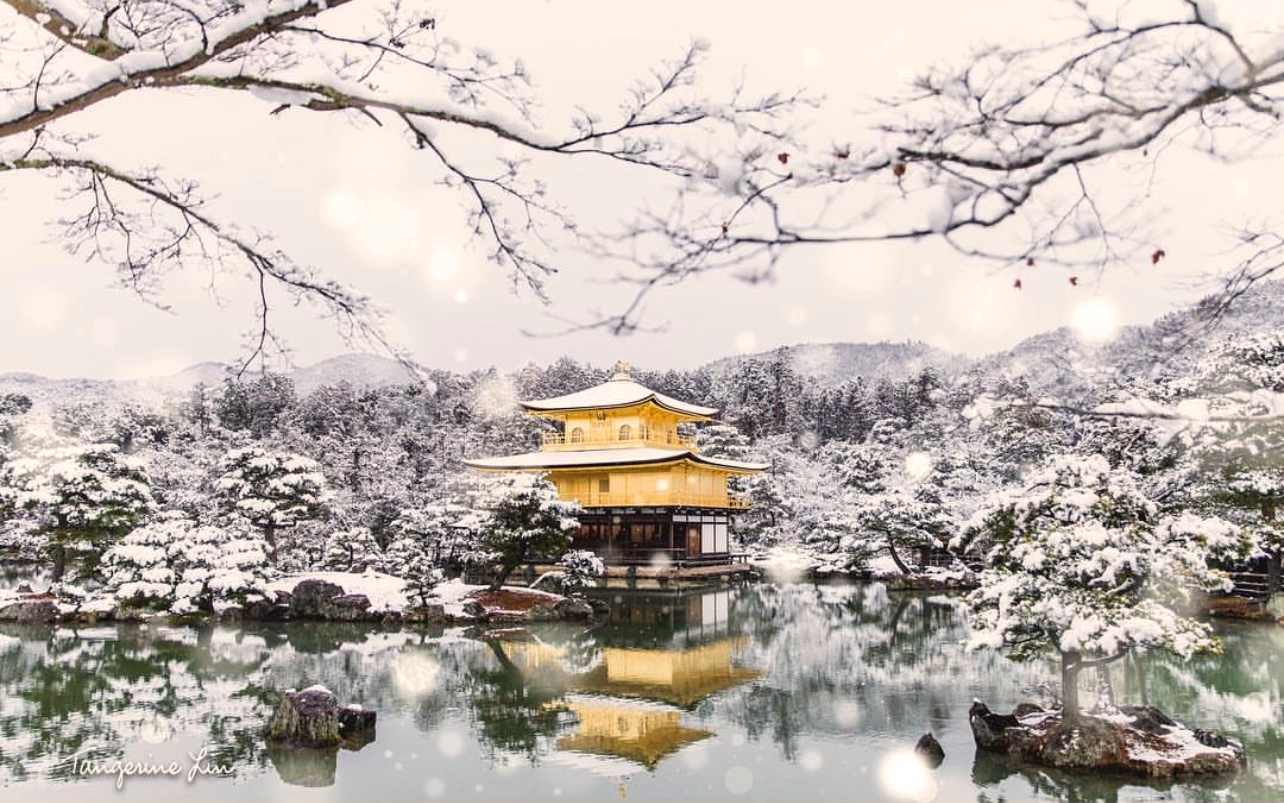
(648, 493)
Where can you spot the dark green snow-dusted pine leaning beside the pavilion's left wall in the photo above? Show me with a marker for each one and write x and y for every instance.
(526, 520)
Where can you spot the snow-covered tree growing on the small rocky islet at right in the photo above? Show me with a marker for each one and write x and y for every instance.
(1082, 565)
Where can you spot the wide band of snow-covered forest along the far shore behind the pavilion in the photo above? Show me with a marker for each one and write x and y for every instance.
(196, 504)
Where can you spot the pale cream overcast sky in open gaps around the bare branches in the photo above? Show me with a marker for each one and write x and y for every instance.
(360, 205)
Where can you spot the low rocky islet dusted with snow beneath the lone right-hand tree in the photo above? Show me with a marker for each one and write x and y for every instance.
(1140, 741)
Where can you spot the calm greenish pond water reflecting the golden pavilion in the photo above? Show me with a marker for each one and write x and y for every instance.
(758, 693)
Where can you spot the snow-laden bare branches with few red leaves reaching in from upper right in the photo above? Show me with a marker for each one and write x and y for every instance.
(1018, 152)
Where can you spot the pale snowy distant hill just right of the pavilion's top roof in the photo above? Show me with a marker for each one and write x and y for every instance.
(838, 363)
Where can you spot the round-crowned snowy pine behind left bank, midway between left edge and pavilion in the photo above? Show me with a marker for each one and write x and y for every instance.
(272, 490)
